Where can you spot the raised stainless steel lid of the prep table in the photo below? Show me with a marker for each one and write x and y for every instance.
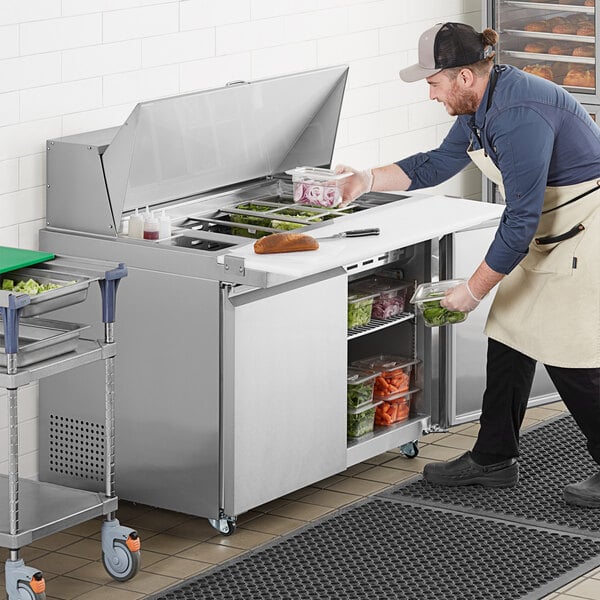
(185, 145)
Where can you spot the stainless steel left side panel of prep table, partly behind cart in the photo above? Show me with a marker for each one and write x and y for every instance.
(167, 385)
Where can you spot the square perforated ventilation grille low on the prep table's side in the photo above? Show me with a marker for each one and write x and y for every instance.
(76, 448)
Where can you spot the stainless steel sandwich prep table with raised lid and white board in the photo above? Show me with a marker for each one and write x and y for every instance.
(233, 366)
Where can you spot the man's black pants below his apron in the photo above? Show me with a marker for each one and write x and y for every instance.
(509, 380)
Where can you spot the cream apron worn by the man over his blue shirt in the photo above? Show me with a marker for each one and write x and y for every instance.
(548, 307)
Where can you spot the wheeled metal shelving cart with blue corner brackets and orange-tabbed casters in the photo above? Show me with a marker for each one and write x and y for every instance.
(35, 348)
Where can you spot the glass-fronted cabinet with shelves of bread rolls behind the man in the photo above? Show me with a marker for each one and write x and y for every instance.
(553, 39)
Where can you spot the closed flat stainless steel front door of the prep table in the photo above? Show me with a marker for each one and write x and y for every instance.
(284, 389)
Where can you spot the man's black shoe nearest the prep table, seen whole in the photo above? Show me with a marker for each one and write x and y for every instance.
(465, 471)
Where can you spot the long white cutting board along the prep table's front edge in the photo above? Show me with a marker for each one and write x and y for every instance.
(404, 223)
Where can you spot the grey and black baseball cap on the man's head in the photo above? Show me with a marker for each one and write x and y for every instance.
(444, 46)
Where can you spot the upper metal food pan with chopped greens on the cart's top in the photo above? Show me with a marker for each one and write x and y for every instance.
(74, 288)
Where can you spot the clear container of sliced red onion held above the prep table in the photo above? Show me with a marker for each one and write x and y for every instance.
(318, 187)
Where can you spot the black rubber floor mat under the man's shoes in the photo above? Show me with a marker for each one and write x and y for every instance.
(552, 455)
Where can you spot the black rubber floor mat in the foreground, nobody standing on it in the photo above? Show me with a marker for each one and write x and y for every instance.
(381, 549)
